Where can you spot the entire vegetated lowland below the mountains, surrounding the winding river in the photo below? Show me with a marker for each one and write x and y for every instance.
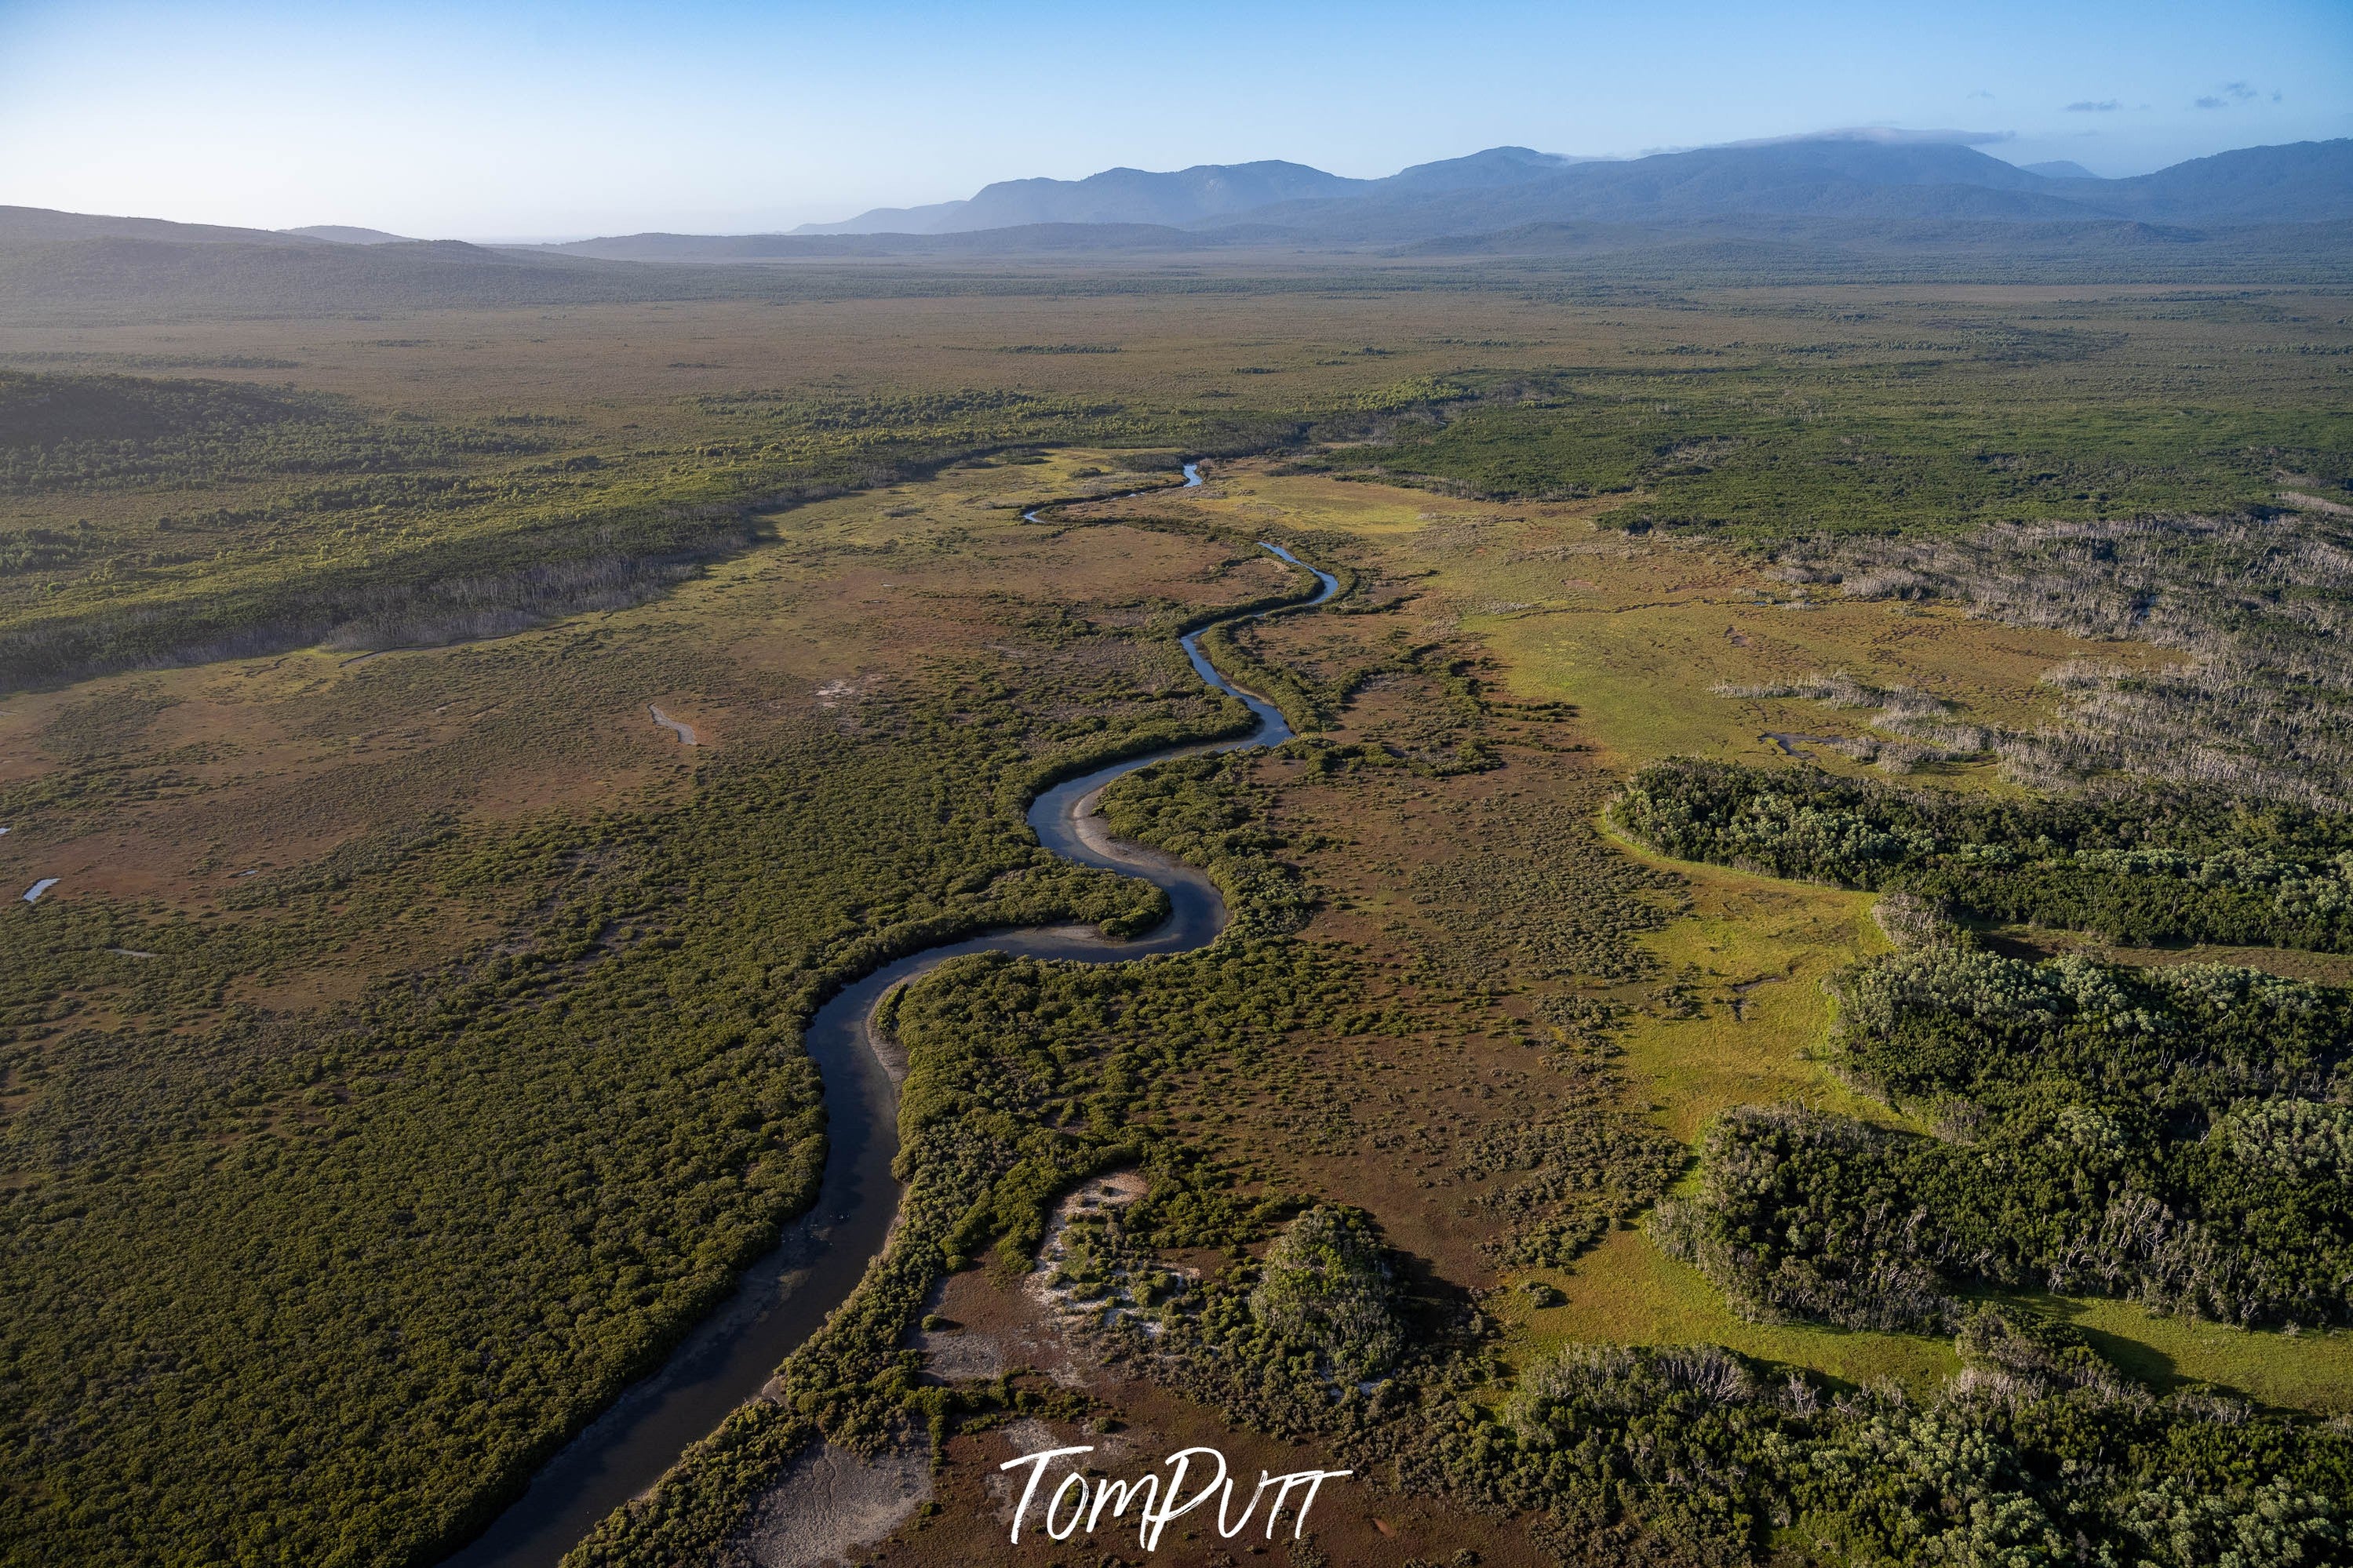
(340, 1193)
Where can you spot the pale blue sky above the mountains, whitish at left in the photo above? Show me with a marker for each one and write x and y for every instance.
(552, 121)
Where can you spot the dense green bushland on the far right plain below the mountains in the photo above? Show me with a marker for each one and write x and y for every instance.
(1912, 420)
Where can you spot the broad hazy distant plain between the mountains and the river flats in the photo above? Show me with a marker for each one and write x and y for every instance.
(573, 457)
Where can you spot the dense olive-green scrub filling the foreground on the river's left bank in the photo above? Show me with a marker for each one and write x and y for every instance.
(316, 1285)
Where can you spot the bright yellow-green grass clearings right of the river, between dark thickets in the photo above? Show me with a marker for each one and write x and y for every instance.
(1733, 1007)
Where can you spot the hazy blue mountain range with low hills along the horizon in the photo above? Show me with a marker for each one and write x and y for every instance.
(1818, 208)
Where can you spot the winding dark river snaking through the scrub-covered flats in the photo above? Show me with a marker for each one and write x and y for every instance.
(822, 1257)
